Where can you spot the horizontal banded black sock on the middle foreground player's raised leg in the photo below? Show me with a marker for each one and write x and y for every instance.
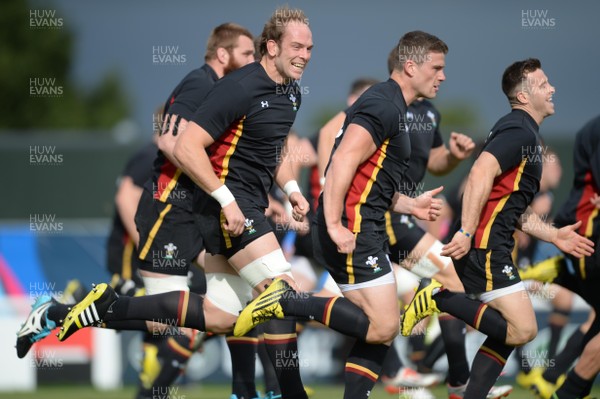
(337, 313)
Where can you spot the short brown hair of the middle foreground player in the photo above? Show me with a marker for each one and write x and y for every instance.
(416, 46)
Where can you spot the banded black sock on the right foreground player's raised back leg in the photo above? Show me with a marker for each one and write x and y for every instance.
(475, 313)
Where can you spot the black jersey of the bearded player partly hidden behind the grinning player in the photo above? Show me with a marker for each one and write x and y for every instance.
(169, 184)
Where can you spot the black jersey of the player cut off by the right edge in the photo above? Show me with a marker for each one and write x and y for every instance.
(586, 182)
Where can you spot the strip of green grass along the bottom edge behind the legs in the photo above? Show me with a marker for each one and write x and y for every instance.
(213, 392)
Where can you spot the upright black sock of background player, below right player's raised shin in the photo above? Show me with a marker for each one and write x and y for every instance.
(453, 334)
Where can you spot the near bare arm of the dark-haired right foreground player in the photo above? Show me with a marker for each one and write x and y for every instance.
(477, 191)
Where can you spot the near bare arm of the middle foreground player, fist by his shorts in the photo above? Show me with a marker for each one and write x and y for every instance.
(355, 148)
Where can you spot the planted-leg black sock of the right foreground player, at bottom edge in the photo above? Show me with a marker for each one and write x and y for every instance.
(487, 366)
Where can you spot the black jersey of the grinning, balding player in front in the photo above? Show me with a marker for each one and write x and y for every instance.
(249, 116)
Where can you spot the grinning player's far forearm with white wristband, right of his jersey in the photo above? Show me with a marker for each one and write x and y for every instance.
(285, 177)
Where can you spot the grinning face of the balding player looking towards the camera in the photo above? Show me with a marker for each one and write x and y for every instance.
(293, 51)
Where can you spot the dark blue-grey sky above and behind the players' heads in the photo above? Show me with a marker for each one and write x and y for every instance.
(352, 38)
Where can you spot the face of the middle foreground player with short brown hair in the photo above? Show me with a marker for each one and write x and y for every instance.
(428, 75)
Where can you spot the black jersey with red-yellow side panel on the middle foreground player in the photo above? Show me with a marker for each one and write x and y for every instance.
(380, 110)
